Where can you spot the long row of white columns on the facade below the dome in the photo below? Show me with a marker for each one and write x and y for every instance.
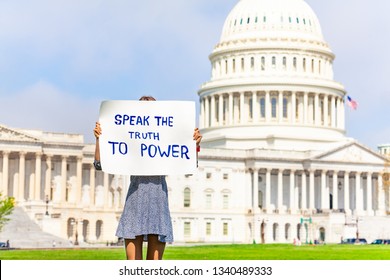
(303, 196)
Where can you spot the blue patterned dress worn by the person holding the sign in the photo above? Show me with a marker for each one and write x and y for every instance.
(146, 209)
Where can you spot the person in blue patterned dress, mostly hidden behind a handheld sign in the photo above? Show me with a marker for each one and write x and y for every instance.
(146, 214)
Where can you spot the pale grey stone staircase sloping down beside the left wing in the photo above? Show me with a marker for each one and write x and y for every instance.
(22, 232)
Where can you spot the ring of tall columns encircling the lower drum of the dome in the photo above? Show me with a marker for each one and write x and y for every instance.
(304, 108)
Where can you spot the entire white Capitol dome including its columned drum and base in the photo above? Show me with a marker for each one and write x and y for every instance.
(271, 82)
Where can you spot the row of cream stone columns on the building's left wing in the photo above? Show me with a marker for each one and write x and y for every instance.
(40, 188)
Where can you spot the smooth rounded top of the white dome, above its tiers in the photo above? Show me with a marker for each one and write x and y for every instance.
(256, 19)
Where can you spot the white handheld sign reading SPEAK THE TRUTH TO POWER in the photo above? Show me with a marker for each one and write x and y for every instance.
(147, 137)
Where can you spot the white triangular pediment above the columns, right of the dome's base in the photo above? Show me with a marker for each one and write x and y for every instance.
(352, 152)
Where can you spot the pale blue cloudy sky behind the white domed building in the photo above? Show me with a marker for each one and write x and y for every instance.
(60, 59)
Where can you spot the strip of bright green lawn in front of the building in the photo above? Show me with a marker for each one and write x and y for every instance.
(216, 252)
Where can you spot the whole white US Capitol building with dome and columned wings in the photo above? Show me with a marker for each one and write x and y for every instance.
(275, 163)
